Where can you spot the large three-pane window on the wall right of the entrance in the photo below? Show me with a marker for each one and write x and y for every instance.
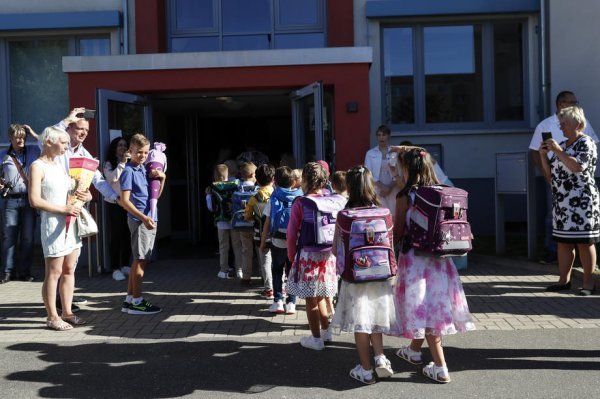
(448, 76)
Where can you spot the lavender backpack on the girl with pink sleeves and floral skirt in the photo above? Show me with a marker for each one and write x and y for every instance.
(318, 221)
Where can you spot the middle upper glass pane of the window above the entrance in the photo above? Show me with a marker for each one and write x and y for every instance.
(241, 16)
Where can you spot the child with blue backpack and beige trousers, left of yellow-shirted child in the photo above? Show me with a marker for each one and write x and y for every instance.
(242, 230)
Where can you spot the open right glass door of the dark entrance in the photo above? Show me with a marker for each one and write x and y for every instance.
(311, 130)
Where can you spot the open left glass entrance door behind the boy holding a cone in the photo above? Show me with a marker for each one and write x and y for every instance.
(119, 115)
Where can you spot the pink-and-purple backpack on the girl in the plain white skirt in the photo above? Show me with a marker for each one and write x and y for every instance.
(365, 250)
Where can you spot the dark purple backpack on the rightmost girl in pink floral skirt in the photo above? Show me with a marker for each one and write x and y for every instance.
(438, 221)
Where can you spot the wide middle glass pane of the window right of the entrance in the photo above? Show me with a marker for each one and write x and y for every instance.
(453, 74)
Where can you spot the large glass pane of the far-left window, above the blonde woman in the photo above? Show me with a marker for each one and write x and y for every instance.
(38, 86)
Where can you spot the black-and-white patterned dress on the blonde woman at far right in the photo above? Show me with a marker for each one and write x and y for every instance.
(575, 200)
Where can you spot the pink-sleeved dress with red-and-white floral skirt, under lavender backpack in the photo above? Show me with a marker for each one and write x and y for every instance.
(312, 273)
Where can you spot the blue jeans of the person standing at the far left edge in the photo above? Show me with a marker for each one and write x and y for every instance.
(17, 232)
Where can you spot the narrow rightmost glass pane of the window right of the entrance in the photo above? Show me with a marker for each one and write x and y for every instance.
(508, 71)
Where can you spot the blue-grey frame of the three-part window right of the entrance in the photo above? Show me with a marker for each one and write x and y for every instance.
(488, 83)
